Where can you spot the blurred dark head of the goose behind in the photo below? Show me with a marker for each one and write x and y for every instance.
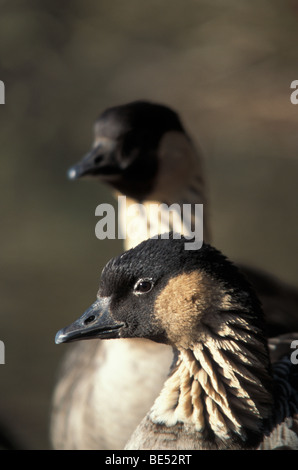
(139, 149)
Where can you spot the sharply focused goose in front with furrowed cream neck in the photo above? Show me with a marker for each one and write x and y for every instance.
(222, 392)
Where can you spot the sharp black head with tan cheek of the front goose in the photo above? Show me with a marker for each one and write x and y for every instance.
(162, 292)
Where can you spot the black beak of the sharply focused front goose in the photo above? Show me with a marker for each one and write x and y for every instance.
(96, 322)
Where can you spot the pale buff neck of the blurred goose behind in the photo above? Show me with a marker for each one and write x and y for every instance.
(180, 181)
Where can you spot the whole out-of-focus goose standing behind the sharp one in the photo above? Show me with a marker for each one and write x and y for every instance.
(142, 151)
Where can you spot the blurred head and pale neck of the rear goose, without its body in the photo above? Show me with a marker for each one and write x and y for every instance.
(143, 152)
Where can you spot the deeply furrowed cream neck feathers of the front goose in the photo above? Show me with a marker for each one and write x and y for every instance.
(214, 388)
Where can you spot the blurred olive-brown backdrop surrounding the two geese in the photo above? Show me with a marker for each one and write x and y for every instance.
(225, 66)
